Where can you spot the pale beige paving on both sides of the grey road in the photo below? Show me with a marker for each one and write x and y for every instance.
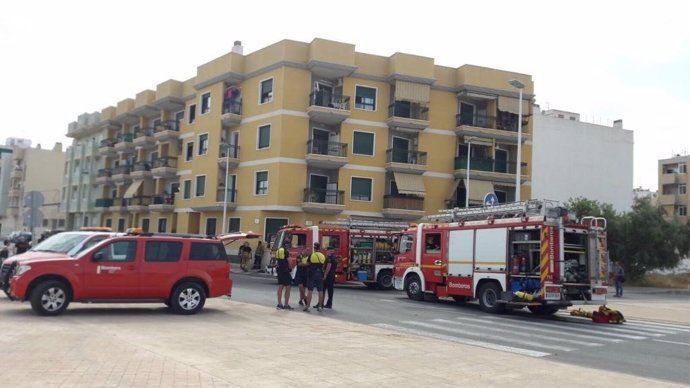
(236, 344)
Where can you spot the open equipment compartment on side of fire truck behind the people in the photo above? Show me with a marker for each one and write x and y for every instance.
(366, 252)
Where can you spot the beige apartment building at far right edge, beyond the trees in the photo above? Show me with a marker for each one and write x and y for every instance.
(673, 187)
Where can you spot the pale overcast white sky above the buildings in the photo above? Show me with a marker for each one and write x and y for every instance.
(606, 60)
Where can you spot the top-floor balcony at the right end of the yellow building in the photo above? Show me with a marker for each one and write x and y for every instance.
(490, 127)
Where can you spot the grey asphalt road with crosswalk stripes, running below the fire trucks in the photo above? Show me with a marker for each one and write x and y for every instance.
(644, 348)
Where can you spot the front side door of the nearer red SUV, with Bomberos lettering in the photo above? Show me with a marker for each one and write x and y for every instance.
(112, 272)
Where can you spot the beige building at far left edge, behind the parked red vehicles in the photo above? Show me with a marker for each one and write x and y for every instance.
(29, 182)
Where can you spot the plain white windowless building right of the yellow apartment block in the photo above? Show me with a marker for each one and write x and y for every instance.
(574, 159)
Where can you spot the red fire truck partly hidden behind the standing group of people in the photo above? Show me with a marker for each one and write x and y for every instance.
(365, 249)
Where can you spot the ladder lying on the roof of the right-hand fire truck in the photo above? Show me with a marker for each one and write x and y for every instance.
(532, 207)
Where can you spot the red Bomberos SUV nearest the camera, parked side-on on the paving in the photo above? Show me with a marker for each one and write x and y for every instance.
(181, 271)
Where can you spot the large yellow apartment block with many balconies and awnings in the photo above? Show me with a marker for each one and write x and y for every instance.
(302, 132)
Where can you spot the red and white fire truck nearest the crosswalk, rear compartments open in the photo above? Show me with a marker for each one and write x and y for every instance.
(525, 254)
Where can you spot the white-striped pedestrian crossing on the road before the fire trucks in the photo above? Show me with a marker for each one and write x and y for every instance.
(534, 337)
